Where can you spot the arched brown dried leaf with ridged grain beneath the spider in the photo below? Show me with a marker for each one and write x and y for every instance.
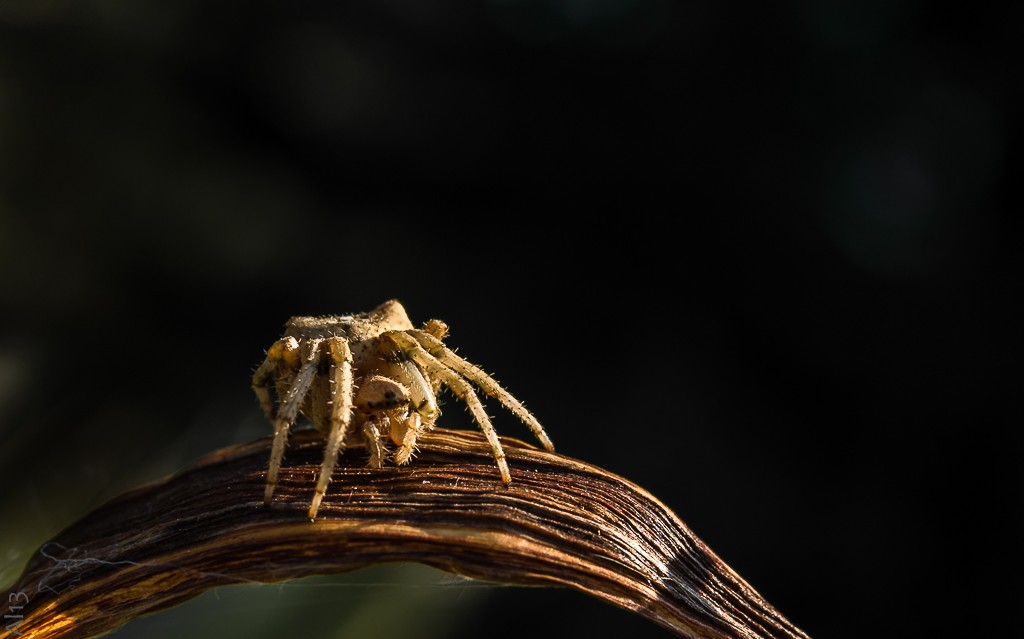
(561, 523)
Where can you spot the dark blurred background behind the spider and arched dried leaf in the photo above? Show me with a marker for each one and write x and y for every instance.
(756, 260)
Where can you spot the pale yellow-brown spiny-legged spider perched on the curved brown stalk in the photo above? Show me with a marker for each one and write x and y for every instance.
(367, 377)
